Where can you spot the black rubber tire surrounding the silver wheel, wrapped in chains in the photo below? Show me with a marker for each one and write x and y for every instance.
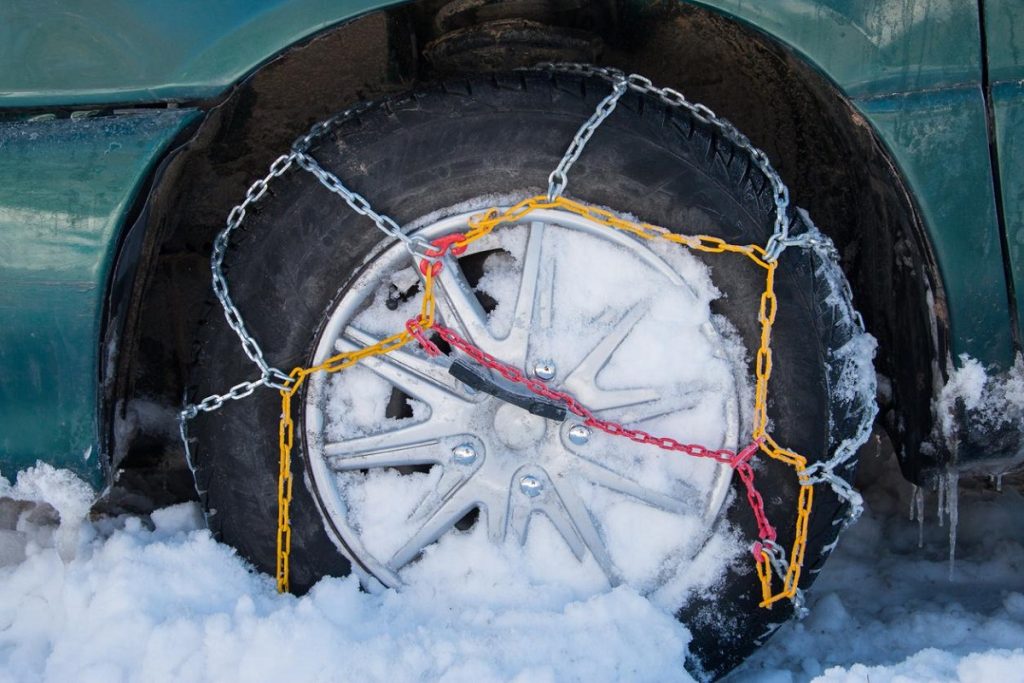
(462, 140)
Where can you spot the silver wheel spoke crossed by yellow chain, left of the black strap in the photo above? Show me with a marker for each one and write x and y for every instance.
(417, 377)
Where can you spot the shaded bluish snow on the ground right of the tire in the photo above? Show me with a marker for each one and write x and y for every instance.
(885, 611)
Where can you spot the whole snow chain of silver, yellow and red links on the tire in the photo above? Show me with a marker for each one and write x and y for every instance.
(771, 559)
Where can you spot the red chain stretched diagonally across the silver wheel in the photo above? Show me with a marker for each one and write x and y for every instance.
(739, 461)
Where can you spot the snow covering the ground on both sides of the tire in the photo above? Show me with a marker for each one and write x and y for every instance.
(157, 600)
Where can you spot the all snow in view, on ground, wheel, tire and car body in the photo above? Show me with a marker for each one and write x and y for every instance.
(156, 599)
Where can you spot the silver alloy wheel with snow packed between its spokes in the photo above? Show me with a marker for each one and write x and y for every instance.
(462, 451)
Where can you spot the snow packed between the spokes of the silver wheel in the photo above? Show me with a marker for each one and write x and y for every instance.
(662, 292)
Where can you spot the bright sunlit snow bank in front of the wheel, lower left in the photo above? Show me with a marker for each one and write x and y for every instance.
(168, 604)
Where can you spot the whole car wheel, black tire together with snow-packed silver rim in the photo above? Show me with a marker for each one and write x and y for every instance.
(408, 475)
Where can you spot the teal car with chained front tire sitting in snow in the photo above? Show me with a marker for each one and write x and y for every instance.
(598, 251)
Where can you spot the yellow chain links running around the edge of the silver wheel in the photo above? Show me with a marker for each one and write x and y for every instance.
(482, 226)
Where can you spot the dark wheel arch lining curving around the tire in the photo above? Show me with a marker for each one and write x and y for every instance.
(854, 190)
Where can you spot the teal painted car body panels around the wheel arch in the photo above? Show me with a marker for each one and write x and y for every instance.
(94, 98)
